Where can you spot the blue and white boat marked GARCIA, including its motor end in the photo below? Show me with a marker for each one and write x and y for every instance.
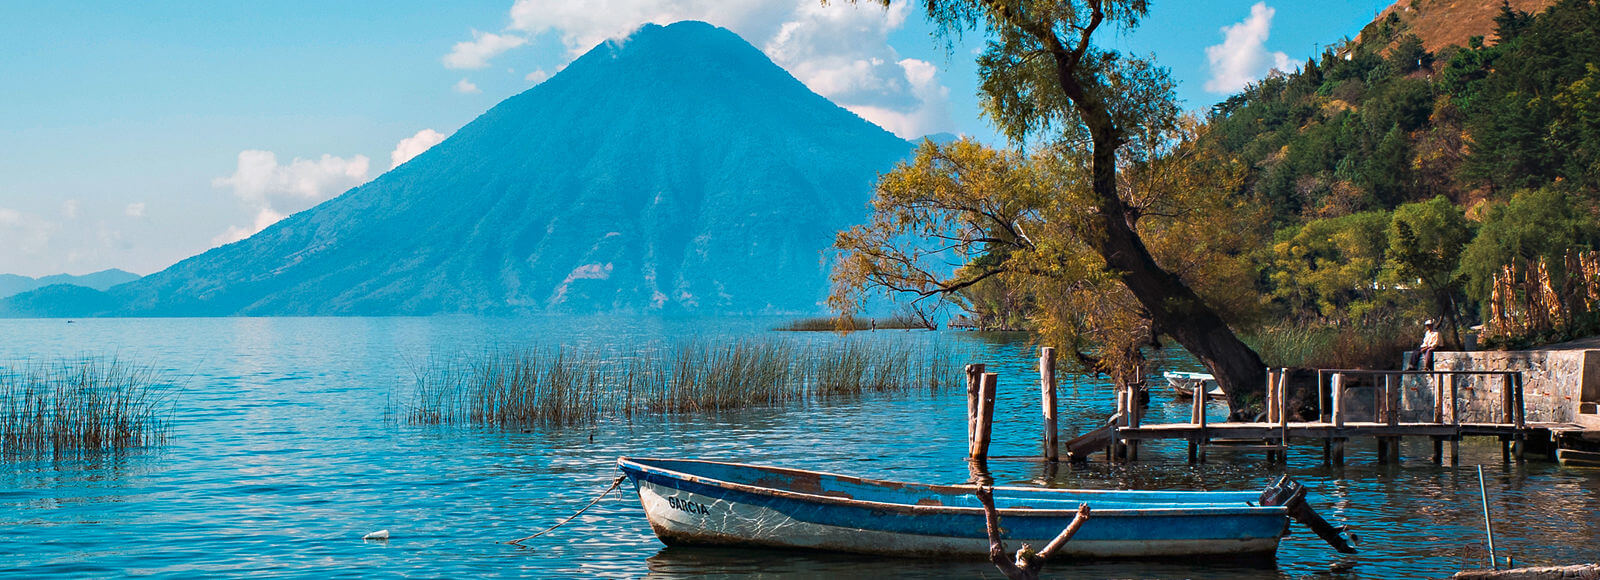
(692, 502)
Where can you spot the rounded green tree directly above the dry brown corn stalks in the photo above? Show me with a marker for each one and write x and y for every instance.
(1535, 224)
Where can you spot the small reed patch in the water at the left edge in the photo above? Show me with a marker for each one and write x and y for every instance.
(78, 408)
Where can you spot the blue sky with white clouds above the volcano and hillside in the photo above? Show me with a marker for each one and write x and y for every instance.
(135, 135)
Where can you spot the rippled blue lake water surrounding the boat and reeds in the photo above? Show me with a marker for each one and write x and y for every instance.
(281, 459)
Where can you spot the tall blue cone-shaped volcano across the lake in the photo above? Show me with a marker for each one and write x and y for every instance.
(673, 172)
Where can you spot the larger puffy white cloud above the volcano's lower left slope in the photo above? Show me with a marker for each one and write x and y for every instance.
(273, 191)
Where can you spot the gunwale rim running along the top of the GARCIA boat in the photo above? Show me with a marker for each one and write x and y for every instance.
(913, 509)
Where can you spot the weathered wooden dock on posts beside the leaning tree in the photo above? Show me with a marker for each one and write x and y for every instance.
(1498, 411)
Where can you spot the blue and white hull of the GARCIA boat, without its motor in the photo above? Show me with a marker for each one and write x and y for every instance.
(706, 512)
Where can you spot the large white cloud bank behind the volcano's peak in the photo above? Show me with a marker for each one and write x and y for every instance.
(839, 50)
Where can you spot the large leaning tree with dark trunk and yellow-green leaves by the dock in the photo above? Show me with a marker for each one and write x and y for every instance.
(1100, 123)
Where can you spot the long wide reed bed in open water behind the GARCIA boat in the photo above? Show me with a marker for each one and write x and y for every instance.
(516, 387)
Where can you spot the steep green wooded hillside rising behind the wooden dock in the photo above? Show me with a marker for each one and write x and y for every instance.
(1402, 180)
